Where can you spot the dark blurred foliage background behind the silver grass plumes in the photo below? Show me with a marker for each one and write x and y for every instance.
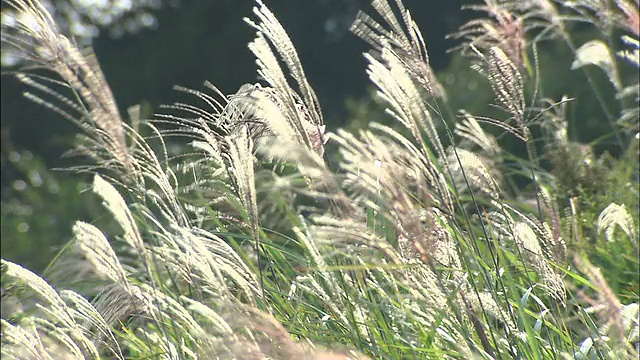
(145, 47)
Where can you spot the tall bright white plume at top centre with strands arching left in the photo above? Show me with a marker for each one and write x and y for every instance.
(277, 109)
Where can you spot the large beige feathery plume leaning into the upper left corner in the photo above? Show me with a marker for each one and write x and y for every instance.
(37, 37)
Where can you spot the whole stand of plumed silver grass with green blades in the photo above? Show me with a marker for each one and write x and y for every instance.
(235, 226)
